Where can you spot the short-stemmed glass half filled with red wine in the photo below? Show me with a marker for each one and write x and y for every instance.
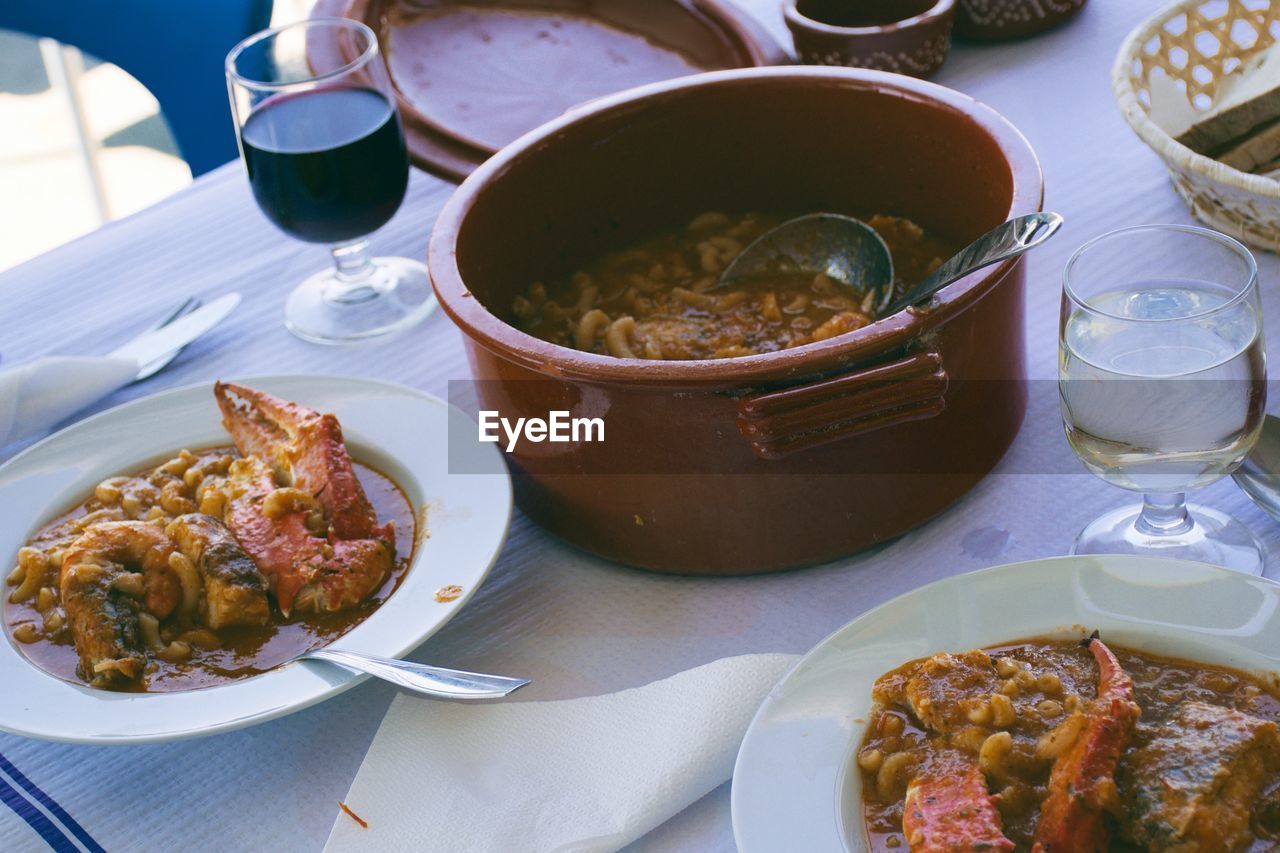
(326, 157)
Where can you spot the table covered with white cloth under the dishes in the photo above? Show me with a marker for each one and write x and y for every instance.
(575, 624)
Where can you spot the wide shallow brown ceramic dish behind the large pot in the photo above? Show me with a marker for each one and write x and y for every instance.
(474, 75)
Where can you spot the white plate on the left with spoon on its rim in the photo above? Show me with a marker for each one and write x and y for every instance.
(399, 431)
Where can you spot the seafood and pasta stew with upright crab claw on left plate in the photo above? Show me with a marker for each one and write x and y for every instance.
(217, 564)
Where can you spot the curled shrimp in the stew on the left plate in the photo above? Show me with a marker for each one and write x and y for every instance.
(109, 576)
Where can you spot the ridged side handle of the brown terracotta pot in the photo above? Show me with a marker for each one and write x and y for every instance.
(780, 423)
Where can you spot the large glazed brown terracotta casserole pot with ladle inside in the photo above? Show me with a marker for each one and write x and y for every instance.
(769, 462)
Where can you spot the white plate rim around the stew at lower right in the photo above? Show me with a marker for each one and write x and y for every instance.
(794, 784)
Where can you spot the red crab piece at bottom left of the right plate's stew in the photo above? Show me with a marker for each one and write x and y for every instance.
(950, 811)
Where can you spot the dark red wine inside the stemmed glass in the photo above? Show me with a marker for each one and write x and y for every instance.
(327, 166)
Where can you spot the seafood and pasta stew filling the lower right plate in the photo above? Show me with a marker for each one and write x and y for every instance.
(1058, 746)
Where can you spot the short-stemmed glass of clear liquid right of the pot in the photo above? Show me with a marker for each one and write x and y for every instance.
(1163, 380)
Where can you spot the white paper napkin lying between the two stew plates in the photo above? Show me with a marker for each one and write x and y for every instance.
(591, 774)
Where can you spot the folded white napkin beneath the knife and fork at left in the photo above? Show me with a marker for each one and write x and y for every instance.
(40, 394)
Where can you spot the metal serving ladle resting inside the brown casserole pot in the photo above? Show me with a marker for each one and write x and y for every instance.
(852, 253)
